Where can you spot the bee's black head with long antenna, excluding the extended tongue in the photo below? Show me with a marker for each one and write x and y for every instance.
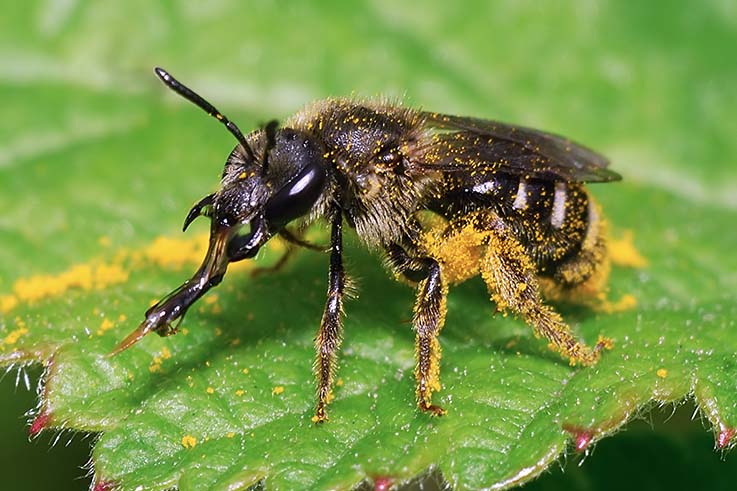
(270, 179)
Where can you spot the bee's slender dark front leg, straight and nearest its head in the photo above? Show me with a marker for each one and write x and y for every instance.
(329, 336)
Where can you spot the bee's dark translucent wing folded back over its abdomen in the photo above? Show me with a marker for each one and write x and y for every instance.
(471, 144)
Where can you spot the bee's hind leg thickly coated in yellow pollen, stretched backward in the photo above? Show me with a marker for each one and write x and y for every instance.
(510, 276)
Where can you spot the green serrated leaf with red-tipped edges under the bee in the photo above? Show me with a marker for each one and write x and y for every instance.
(99, 164)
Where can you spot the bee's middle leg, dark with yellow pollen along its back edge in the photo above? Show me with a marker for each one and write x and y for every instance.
(428, 320)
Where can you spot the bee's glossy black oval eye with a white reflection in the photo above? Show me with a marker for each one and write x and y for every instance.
(296, 197)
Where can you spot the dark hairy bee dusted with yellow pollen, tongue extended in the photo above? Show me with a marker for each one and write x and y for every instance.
(445, 198)
